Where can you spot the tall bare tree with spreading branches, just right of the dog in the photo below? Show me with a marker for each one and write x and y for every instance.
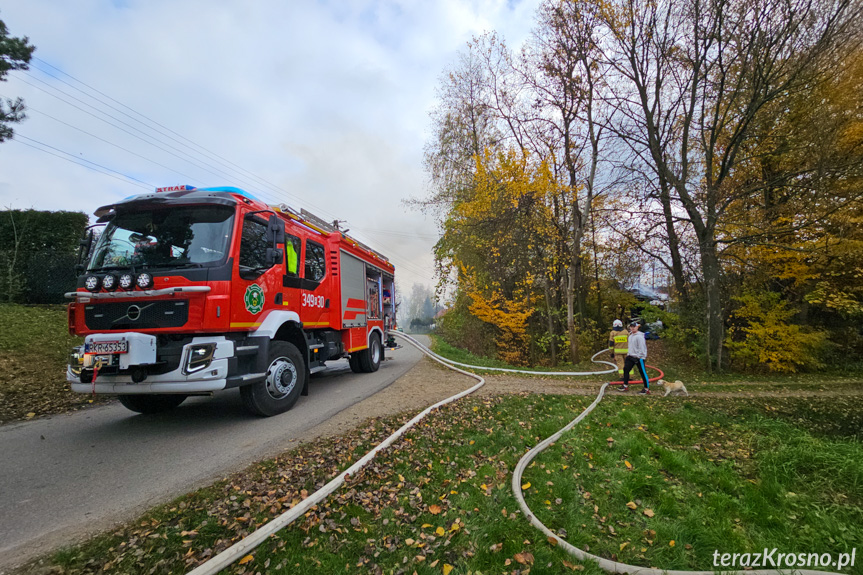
(692, 78)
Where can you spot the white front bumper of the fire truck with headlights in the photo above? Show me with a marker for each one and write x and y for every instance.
(123, 370)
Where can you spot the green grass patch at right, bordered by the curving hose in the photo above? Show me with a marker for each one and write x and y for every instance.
(711, 481)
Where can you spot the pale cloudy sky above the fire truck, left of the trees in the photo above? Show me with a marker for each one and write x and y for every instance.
(320, 105)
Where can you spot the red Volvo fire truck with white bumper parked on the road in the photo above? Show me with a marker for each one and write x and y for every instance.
(188, 291)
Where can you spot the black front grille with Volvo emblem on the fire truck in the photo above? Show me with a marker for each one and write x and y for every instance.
(137, 315)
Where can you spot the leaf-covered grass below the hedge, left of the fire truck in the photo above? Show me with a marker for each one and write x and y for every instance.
(34, 348)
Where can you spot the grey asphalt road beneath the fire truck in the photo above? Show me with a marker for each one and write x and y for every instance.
(68, 476)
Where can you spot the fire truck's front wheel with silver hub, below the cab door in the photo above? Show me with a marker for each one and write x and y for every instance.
(286, 377)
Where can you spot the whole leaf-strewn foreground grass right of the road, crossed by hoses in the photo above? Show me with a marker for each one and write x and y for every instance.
(702, 474)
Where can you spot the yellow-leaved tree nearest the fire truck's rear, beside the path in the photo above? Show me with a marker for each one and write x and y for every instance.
(497, 241)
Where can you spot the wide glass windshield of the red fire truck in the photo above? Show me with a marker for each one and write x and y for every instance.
(176, 237)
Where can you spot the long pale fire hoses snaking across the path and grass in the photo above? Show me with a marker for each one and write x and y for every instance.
(244, 546)
